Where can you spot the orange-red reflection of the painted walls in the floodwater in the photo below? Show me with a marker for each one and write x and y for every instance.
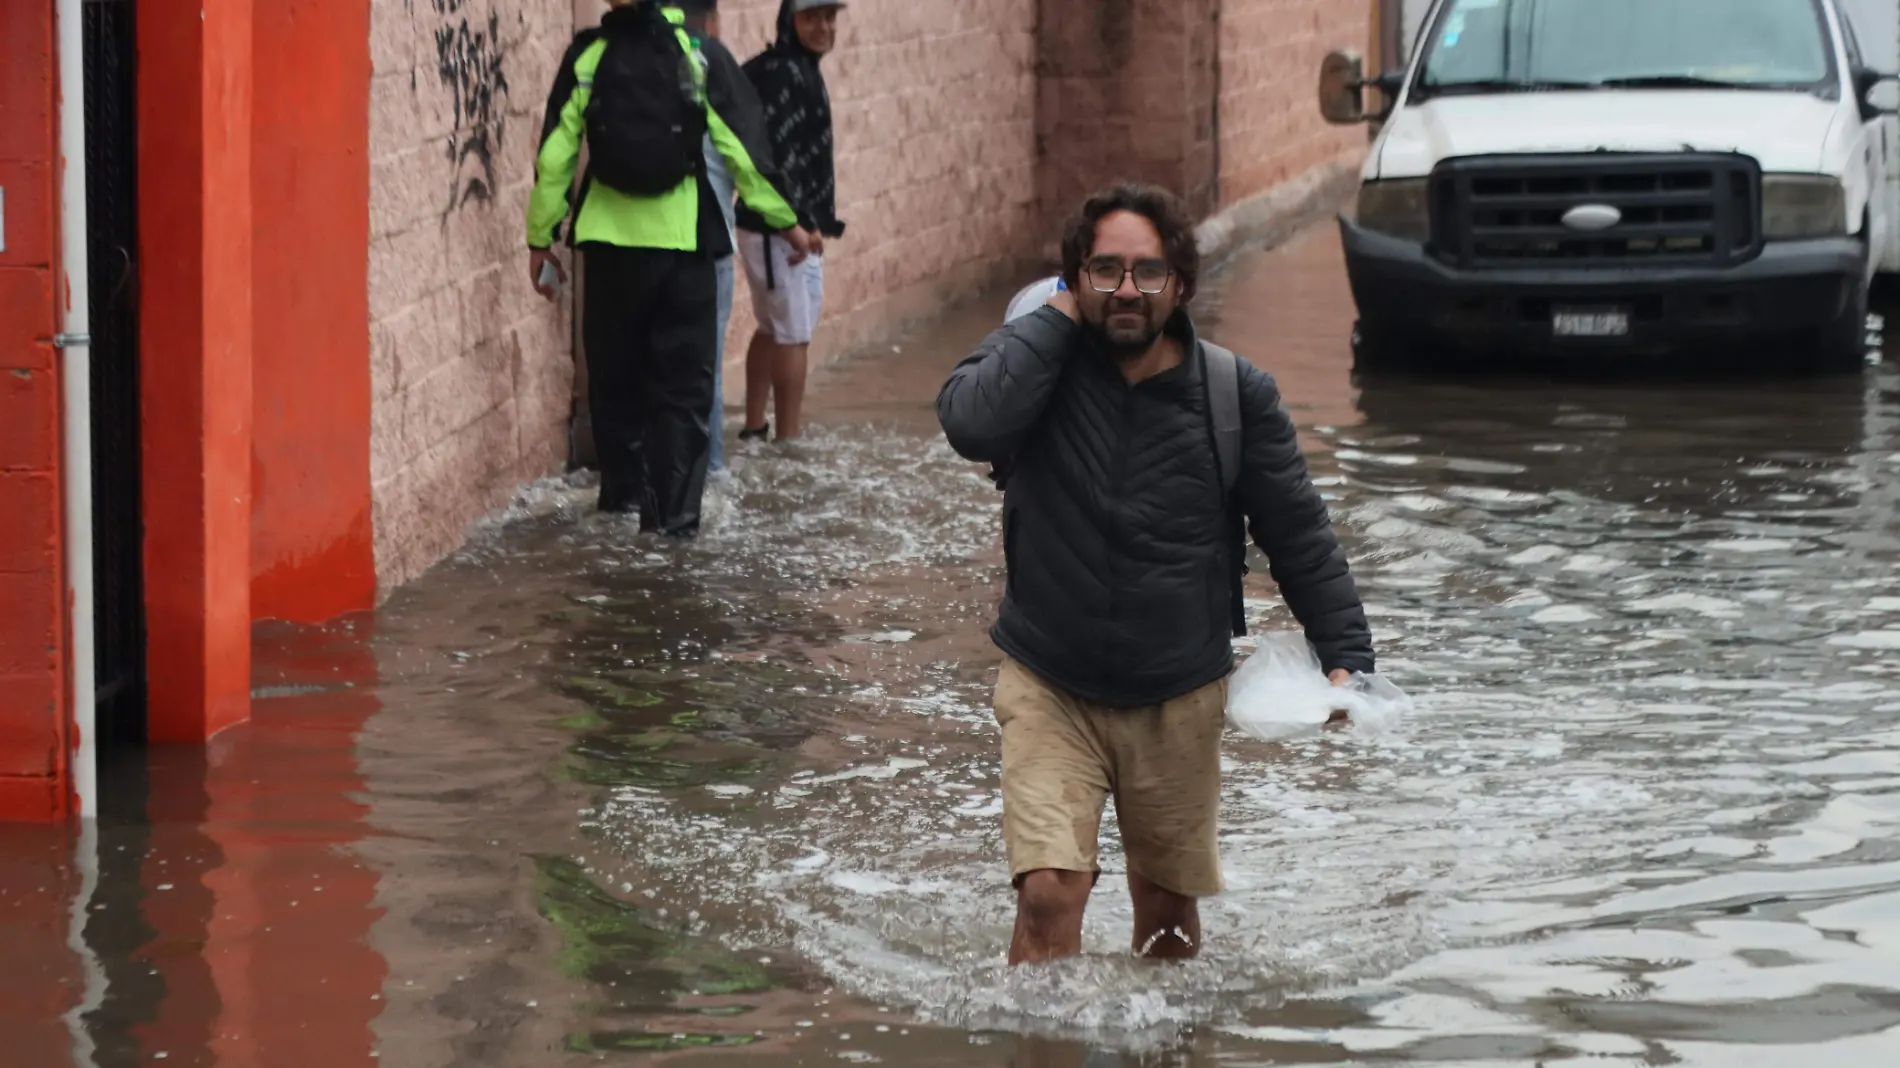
(227, 921)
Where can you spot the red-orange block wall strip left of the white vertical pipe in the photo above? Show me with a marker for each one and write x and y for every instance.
(33, 619)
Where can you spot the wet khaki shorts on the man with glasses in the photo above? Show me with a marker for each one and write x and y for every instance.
(1063, 759)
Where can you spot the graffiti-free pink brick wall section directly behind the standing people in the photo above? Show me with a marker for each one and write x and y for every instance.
(936, 123)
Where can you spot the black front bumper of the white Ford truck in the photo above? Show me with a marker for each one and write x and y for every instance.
(1789, 290)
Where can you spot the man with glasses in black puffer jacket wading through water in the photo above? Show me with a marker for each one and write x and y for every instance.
(1126, 543)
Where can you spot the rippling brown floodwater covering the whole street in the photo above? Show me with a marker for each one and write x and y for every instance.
(582, 797)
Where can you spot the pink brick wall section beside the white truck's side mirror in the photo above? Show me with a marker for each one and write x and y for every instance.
(1270, 126)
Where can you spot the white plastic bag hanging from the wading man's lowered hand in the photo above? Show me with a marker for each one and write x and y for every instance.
(1280, 693)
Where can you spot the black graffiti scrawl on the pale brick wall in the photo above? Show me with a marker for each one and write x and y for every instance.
(470, 64)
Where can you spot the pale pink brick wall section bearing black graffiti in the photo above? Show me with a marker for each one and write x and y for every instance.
(472, 372)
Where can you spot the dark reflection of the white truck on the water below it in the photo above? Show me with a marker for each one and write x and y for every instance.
(1707, 449)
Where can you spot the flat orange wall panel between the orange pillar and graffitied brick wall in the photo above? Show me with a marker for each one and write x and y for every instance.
(313, 539)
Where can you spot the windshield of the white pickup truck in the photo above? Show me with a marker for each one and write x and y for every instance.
(1502, 47)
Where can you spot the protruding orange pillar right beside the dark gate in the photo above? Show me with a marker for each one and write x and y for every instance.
(195, 235)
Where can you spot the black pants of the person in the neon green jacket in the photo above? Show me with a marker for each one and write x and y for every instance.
(651, 326)
